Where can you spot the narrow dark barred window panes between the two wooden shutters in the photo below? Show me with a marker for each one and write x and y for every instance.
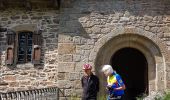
(24, 47)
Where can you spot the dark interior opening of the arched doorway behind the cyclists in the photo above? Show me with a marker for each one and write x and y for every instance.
(131, 64)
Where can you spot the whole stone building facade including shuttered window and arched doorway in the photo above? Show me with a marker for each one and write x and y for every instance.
(44, 43)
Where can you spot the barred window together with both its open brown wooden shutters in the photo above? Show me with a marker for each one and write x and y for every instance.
(26, 49)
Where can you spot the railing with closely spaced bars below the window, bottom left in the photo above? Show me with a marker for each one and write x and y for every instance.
(37, 94)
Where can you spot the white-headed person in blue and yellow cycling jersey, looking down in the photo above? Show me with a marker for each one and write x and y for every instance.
(115, 85)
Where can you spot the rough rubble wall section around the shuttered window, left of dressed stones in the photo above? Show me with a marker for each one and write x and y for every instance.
(26, 76)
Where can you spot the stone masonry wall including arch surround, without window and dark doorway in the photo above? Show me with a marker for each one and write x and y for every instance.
(84, 31)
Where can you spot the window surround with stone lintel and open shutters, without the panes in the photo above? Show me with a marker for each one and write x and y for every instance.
(11, 61)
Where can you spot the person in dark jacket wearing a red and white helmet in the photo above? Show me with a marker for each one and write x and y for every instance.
(90, 83)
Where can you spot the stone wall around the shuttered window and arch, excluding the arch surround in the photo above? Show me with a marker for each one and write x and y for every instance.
(70, 34)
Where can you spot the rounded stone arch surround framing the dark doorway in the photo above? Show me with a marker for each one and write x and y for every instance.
(153, 49)
